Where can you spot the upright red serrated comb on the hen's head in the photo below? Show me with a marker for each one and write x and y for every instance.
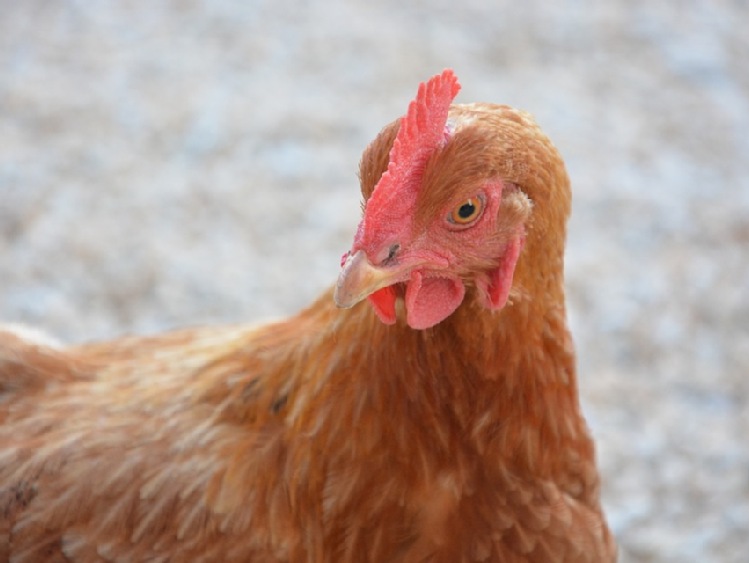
(422, 130)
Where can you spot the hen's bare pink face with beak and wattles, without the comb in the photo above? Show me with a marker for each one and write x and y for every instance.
(465, 244)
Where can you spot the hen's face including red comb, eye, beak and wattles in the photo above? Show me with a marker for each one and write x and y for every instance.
(436, 222)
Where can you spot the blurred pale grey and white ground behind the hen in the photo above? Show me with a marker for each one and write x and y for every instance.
(180, 163)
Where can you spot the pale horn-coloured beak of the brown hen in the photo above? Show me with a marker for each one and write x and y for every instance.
(360, 279)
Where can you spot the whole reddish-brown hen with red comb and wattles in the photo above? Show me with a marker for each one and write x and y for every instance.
(424, 410)
